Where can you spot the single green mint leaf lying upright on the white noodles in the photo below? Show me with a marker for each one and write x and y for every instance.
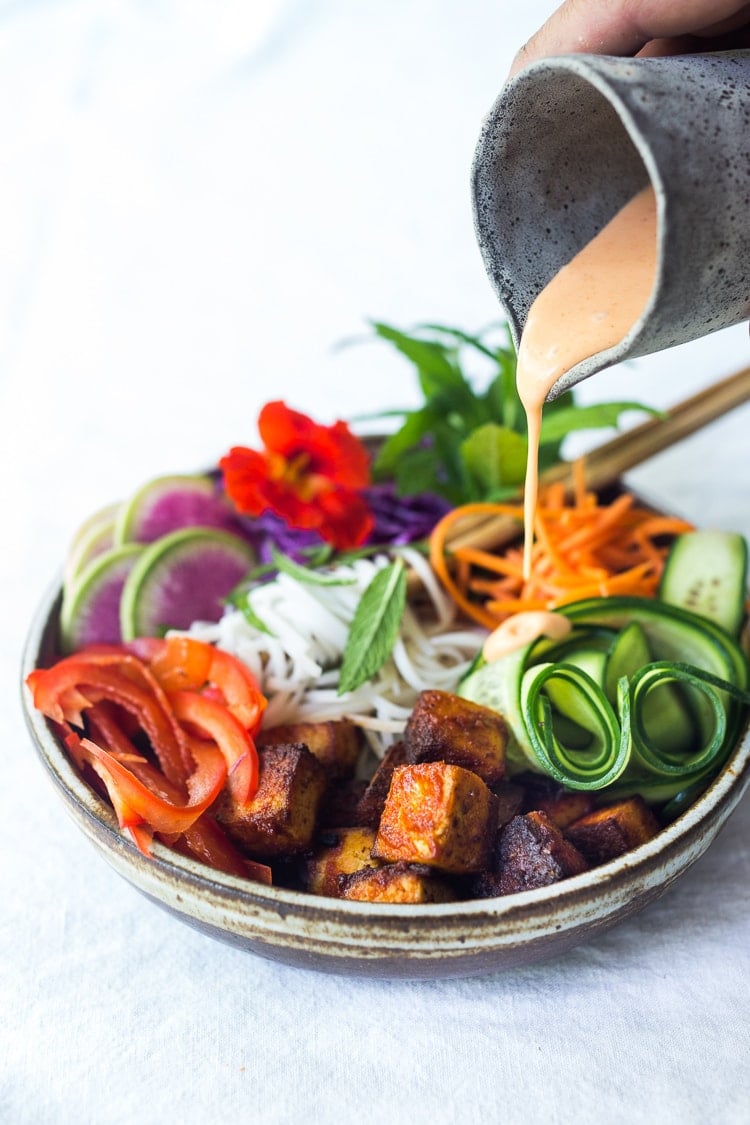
(375, 627)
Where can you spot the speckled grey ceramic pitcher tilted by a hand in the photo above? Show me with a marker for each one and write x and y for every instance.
(571, 140)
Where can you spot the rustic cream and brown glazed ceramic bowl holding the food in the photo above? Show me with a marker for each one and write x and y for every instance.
(357, 939)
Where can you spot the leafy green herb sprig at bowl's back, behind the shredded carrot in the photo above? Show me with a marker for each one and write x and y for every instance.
(468, 444)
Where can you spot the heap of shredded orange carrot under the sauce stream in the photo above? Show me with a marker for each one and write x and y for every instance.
(584, 548)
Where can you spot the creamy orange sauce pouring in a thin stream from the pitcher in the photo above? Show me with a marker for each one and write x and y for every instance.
(591, 305)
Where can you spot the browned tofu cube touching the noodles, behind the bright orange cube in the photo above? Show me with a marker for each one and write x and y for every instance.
(447, 728)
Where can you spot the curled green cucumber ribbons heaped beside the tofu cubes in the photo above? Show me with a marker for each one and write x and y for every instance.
(656, 730)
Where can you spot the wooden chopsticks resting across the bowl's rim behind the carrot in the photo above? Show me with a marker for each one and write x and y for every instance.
(608, 463)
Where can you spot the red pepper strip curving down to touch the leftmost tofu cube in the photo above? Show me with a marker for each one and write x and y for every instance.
(213, 719)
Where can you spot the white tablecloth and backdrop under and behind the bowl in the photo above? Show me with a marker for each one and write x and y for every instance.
(197, 202)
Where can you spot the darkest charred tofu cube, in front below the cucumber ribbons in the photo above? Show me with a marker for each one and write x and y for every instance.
(531, 852)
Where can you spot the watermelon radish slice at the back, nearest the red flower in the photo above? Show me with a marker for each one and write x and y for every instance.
(170, 503)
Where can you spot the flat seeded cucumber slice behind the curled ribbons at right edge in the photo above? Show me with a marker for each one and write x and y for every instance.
(707, 573)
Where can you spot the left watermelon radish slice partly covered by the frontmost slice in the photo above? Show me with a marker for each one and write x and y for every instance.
(91, 613)
